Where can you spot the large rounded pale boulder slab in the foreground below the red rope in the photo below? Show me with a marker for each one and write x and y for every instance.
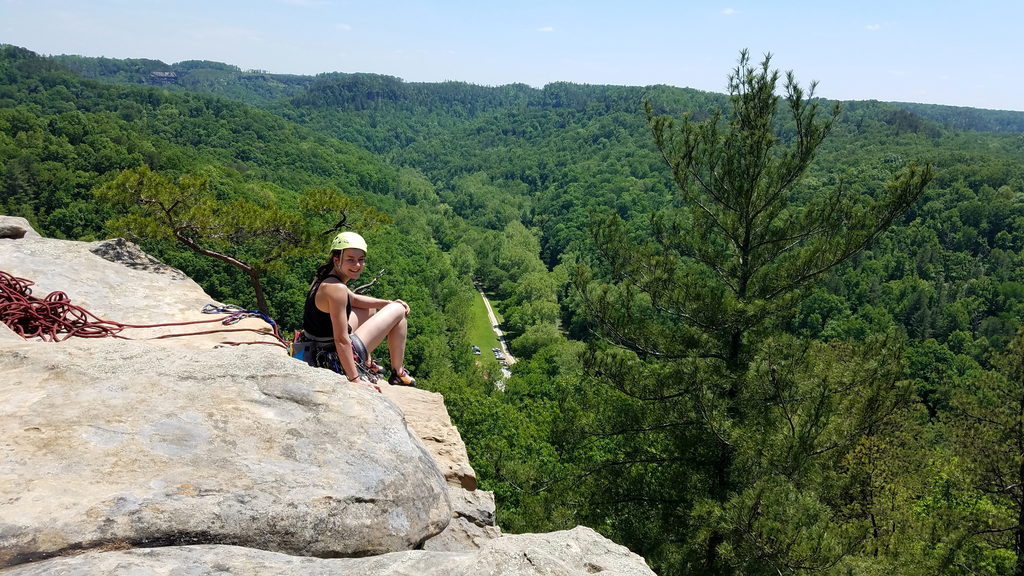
(120, 442)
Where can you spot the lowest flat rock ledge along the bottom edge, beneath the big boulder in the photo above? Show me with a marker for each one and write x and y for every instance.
(580, 552)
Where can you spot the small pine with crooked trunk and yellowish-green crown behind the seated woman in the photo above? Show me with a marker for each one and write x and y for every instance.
(252, 237)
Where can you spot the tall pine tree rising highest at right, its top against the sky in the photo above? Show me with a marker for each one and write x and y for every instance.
(688, 335)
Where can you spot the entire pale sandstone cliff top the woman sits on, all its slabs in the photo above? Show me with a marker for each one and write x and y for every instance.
(183, 456)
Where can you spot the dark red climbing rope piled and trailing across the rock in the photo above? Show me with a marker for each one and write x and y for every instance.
(56, 319)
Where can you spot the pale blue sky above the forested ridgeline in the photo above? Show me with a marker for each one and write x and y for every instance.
(940, 52)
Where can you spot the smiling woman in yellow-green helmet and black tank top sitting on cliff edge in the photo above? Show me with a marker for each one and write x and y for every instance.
(343, 322)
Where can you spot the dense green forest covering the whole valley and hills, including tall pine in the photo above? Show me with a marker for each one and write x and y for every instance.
(846, 402)
